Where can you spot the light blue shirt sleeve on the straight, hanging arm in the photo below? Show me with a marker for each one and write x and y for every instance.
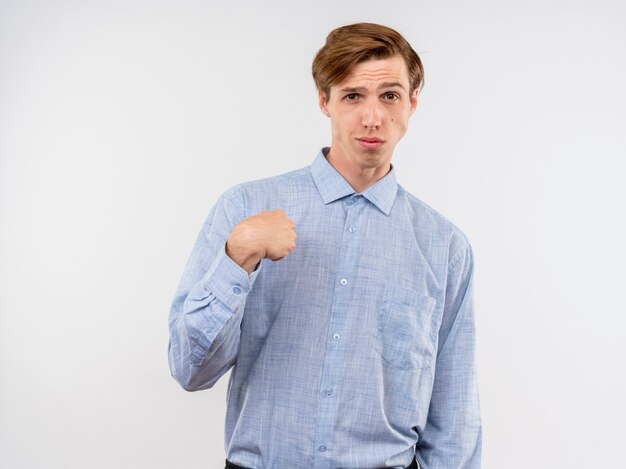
(452, 436)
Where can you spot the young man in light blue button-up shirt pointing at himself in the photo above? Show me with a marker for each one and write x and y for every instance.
(352, 346)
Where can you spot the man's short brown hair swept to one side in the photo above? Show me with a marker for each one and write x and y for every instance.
(355, 43)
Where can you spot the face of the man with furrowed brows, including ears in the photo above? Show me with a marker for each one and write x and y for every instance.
(369, 113)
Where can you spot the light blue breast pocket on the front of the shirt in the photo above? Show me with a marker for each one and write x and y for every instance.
(404, 336)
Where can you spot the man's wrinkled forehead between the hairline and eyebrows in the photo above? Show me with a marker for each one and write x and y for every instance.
(375, 71)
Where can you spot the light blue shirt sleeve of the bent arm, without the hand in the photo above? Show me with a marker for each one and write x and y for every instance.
(206, 314)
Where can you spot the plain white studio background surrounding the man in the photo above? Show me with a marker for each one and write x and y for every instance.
(122, 121)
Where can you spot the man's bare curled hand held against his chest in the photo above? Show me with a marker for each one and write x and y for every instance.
(268, 235)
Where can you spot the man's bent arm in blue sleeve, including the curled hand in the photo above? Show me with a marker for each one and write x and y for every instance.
(207, 310)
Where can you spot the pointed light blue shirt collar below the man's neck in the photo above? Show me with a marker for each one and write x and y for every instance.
(332, 186)
